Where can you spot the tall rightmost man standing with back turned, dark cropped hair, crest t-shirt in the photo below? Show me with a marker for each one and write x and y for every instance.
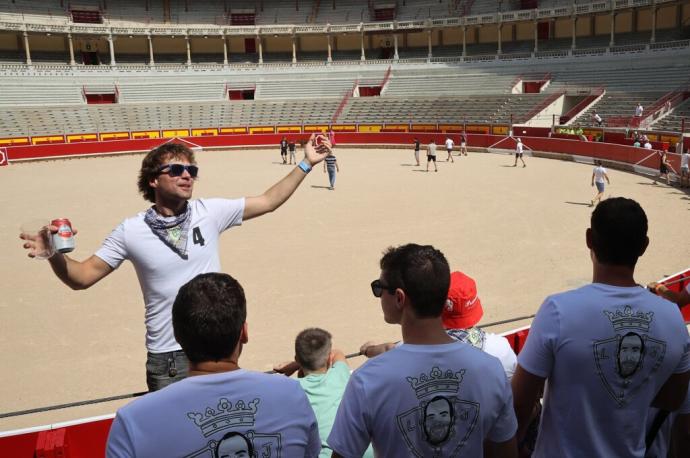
(595, 404)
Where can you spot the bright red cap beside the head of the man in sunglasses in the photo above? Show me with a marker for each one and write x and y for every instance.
(463, 308)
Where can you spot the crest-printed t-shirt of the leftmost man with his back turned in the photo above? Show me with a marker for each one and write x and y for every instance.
(190, 417)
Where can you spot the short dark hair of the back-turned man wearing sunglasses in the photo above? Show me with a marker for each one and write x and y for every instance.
(422, 272)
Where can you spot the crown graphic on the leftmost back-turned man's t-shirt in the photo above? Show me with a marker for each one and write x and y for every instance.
(225, 416)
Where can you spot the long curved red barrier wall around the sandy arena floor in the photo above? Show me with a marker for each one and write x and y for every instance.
(607, 151)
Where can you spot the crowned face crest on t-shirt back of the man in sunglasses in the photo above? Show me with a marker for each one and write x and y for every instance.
(441, 423)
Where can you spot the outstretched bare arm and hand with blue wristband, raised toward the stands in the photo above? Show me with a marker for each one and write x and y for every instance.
(280, 192)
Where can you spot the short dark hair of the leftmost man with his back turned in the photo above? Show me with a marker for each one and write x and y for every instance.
(208, 314)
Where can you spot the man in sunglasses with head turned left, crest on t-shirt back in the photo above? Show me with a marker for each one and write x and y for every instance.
(414, 400)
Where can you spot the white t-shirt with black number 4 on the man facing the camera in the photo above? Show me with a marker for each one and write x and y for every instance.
(161, 271)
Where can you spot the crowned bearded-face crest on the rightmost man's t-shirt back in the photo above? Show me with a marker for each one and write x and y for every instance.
(628, 359)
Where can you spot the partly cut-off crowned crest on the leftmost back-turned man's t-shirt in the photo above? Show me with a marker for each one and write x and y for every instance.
(231, 431)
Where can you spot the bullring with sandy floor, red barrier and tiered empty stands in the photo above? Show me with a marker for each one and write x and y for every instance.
(84, 93)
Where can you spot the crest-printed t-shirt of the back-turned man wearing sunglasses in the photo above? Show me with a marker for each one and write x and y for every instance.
(425, 400)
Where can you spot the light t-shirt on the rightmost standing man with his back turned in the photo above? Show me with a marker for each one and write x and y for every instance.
(605, 352)
